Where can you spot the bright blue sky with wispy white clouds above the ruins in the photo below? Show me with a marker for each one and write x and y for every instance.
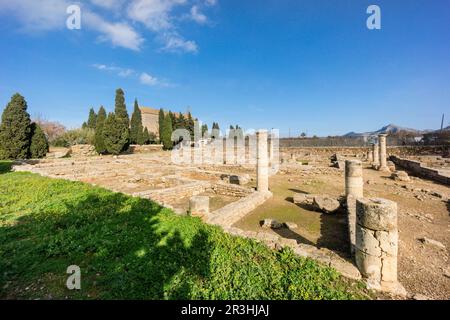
(305, 65)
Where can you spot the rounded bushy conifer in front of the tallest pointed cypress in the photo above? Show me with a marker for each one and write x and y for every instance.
(114, 137)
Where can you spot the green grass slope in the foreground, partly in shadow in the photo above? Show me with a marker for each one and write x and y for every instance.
(131, 248)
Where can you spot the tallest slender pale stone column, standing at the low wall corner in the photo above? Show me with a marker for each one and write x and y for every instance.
(262, 170)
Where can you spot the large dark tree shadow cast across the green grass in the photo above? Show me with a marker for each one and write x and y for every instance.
(120, 244)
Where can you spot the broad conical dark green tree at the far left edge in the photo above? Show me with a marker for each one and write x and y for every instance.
(15, 129)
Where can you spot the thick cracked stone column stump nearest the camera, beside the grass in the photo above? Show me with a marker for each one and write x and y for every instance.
(377, 243)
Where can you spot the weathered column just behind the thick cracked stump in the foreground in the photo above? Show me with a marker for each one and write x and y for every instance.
(353, 190)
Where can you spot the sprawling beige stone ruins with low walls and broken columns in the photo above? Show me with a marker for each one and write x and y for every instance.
(372, 222)
